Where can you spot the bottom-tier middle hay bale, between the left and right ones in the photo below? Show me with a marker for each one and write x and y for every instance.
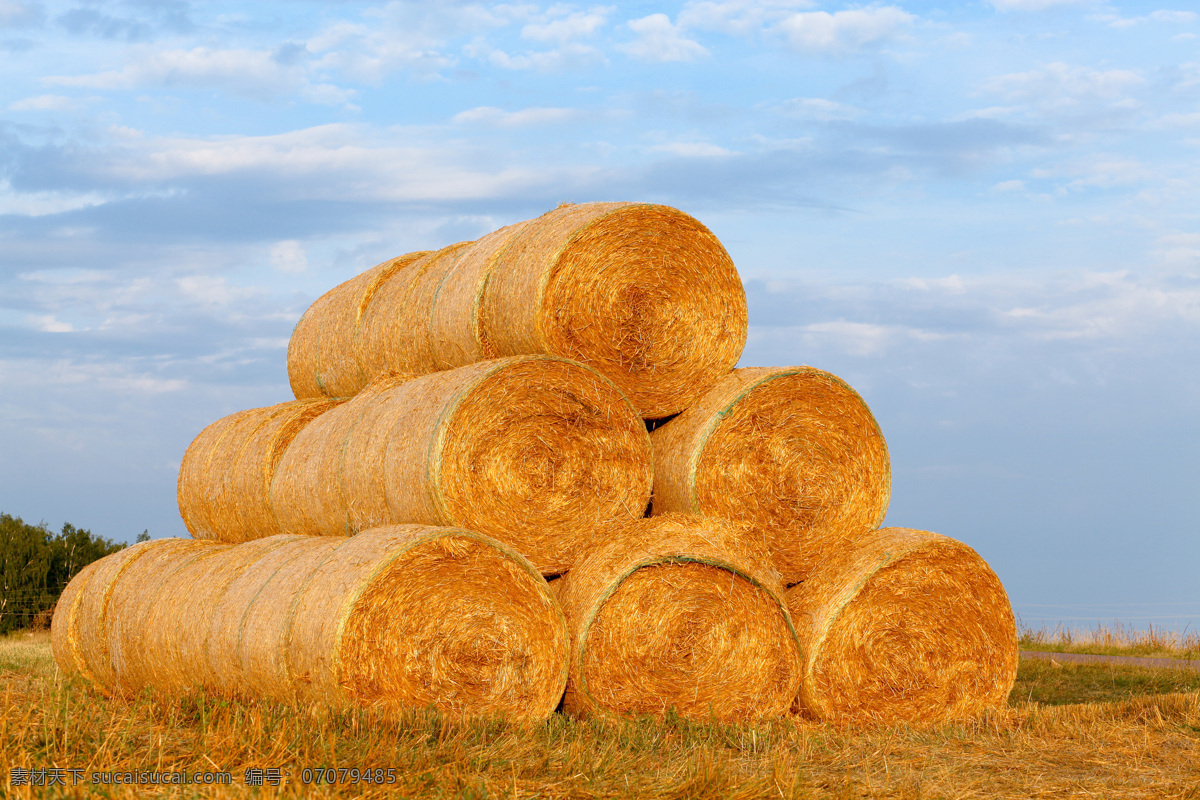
(682, 613)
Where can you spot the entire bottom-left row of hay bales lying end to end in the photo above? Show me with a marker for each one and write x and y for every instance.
(398, 617)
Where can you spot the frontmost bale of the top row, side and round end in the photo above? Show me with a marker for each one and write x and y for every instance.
(643, 293)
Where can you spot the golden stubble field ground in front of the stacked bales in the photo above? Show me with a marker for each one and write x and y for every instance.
(1070, 732)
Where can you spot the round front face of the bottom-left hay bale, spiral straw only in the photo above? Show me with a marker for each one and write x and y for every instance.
(461, 623)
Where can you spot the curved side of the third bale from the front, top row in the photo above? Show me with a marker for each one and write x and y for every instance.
(395, 333)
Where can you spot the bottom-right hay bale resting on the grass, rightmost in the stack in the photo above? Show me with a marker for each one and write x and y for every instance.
(904, 627)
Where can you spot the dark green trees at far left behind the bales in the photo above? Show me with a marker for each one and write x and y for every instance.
(37, 567)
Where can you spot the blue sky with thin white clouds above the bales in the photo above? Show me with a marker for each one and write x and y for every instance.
(982, 215)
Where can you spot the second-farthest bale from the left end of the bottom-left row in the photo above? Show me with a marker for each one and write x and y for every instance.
(133, 606)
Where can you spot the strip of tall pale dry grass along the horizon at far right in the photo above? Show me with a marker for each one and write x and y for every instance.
(1115, 640)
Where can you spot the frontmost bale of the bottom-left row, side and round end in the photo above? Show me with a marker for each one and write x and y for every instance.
(411, 616)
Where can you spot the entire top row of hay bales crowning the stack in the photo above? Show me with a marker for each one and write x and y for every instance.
(643, 293)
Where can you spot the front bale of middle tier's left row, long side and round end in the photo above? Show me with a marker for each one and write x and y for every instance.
(535, 452)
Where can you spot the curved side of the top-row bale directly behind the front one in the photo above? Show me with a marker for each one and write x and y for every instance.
(455, 326)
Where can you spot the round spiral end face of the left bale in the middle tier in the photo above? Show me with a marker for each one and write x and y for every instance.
(541, 454)
